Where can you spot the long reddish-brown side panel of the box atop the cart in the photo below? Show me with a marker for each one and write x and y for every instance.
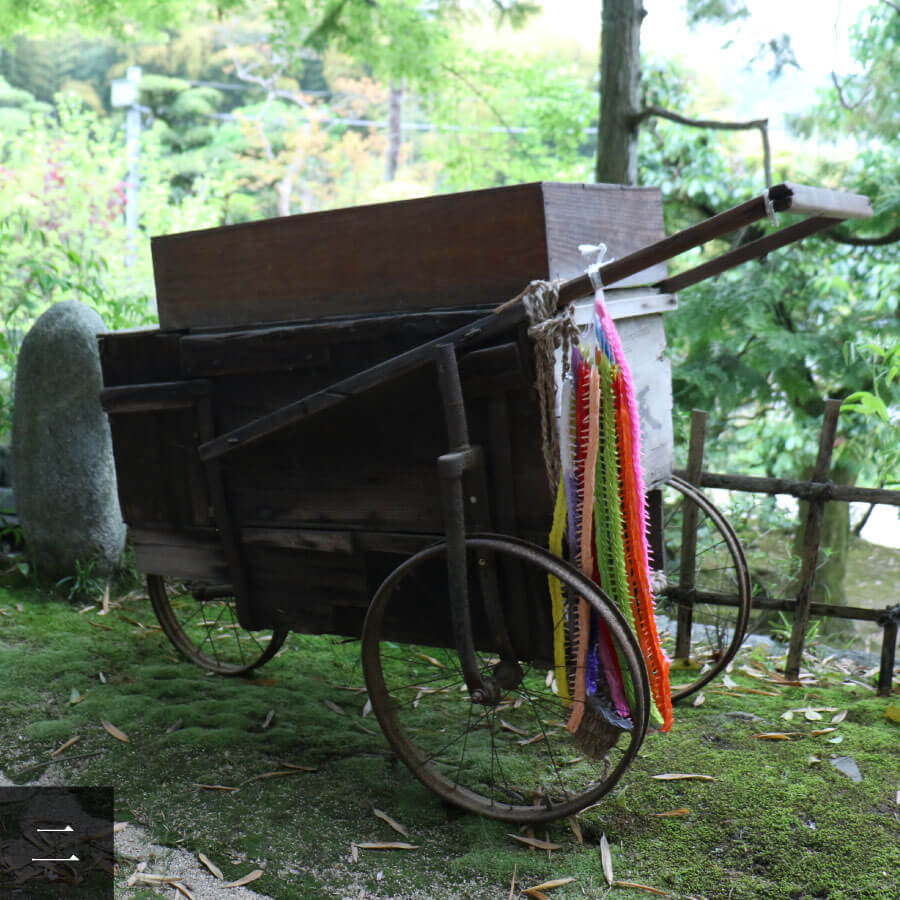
(478, 247)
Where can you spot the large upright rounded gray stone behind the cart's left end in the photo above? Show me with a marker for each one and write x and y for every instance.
(63, 470)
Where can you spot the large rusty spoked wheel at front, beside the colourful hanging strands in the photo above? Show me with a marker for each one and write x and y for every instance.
(512, 758)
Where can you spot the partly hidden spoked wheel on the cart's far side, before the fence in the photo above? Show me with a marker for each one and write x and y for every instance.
(703, 607)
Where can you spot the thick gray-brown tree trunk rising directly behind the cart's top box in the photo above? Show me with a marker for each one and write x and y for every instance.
(620, 83)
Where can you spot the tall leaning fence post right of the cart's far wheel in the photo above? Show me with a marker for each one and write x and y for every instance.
(811, 538)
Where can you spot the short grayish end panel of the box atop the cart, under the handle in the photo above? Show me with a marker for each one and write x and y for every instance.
(624, 218)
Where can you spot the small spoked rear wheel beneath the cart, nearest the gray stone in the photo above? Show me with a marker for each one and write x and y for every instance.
(203, 625)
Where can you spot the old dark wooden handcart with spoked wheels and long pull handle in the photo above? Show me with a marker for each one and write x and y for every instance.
(331, 437)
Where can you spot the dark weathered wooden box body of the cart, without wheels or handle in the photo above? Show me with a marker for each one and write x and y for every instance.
(325, 510)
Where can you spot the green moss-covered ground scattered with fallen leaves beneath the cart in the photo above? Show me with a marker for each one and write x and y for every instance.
(777, 820)
